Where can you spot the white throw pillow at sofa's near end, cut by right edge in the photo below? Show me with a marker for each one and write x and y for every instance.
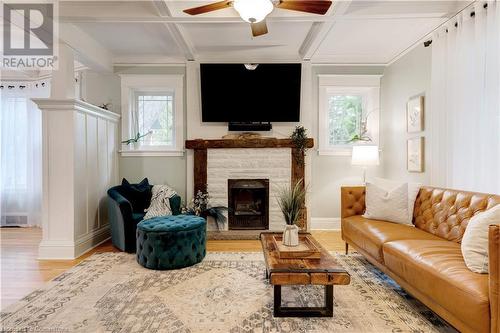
(475, 239)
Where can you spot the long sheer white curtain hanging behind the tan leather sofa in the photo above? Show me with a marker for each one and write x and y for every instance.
(465, 101)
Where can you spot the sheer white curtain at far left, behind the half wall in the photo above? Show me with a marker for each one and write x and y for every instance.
(21, 153)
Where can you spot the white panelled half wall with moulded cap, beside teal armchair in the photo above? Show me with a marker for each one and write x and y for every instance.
(80, 162)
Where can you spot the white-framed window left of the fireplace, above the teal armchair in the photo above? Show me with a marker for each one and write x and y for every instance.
(152, 108)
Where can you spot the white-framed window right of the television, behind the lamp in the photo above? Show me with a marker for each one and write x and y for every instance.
(348, 112)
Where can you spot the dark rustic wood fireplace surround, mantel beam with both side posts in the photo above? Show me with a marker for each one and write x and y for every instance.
(200, 147)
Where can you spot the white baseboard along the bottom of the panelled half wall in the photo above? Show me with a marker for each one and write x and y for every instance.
(68, 250)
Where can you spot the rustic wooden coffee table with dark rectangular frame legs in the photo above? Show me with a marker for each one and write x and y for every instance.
(324, 271)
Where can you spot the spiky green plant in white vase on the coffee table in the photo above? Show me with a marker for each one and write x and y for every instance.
(290, 201)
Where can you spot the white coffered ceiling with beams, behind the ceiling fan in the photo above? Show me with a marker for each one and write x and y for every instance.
(352, 32)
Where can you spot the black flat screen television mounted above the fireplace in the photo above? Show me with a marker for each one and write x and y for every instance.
(268, 93)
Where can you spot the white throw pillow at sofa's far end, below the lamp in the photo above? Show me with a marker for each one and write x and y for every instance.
(386, 205)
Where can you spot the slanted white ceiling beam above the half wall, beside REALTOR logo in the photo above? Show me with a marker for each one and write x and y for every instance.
(87, 50)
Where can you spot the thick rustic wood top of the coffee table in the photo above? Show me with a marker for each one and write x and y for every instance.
(323, 271)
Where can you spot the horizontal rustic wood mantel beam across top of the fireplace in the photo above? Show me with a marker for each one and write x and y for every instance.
(243, 143)
